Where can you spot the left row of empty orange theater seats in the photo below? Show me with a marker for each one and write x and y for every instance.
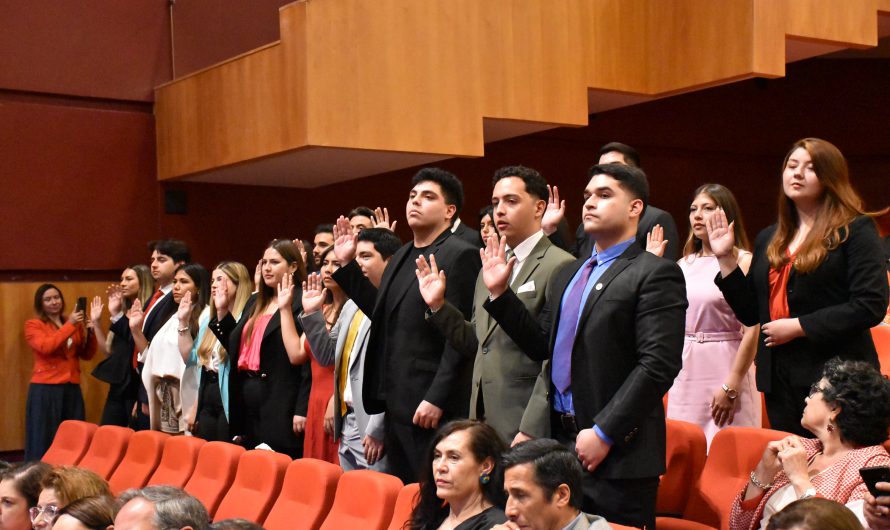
(261, 486)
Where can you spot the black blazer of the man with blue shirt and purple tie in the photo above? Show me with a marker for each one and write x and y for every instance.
(627, 351)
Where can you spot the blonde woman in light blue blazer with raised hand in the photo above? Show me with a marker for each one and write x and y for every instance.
(230, 287)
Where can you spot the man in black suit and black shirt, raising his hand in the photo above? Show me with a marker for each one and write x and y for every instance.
(411, 373)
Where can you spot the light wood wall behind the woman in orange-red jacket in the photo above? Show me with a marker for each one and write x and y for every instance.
(16, 306)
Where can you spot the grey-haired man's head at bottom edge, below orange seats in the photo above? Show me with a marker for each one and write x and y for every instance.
(160, 508)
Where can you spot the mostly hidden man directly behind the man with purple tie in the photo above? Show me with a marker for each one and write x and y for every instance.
(615, 153)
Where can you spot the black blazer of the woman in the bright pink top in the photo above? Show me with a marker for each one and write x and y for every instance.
(287, 385)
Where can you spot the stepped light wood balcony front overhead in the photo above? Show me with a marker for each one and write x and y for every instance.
(410, 77)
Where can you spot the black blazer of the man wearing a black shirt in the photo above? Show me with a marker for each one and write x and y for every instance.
(407, 362)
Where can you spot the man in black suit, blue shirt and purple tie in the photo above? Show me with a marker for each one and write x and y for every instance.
(614, 336)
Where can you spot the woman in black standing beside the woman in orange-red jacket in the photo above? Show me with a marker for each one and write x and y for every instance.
(117, 368)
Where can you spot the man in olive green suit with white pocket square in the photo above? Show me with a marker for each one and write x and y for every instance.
(508, 389)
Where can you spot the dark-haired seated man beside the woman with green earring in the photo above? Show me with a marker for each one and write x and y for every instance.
(543, 481)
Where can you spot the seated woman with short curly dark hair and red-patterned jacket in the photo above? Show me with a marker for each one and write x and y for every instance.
(849, 412)
